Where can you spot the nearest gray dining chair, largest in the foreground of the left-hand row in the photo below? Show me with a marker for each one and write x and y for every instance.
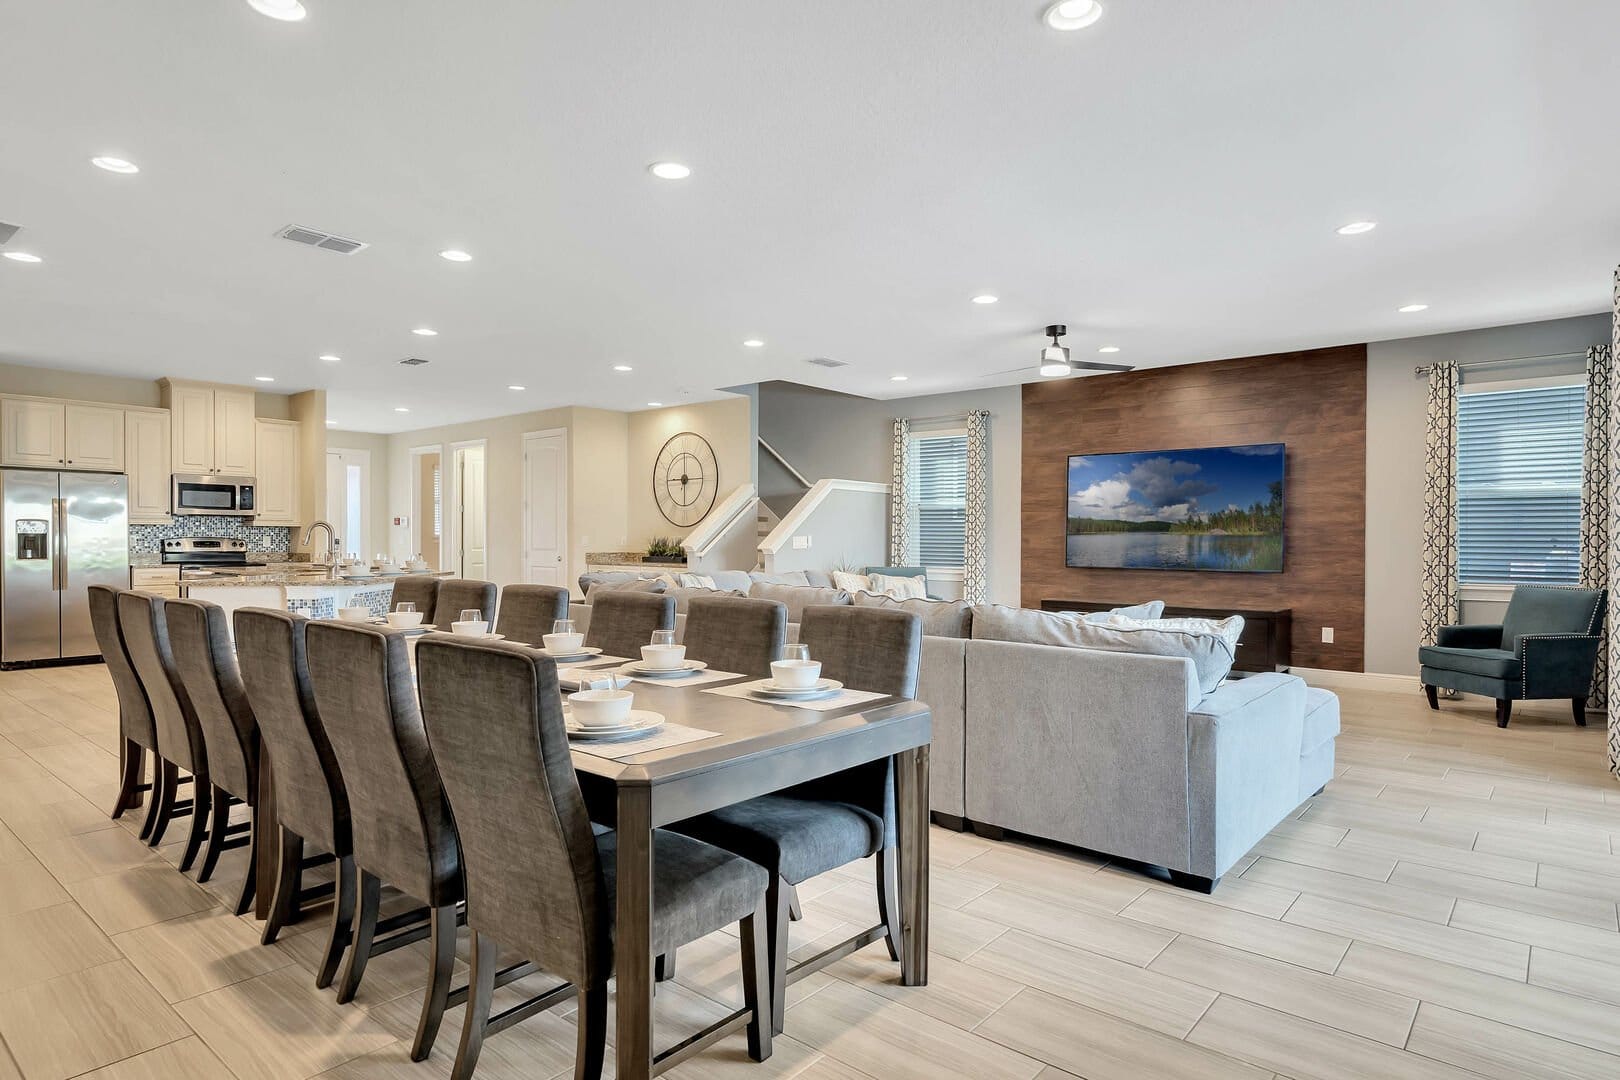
(540, 882)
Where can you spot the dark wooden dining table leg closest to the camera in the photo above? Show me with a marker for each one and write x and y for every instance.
(634, 935)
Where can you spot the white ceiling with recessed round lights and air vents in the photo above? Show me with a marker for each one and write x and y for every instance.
(1169, 182)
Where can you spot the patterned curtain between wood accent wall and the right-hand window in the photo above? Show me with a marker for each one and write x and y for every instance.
(1439, 606)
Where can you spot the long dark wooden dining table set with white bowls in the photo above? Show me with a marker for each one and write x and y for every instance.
(757, 749)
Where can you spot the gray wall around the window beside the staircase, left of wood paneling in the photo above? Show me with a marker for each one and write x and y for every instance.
(838, 436)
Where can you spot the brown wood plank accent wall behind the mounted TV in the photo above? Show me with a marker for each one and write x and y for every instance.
(1315, 402)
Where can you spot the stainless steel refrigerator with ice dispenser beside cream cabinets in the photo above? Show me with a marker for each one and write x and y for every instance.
(64, 534)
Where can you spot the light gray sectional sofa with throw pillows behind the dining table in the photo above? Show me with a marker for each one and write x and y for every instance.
(1122, 754)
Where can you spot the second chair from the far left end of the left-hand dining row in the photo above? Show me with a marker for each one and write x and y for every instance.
(179, 734)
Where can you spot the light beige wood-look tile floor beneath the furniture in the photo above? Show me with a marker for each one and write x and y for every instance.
(1447, 909)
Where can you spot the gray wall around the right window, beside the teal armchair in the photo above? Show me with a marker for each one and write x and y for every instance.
(1396, 428)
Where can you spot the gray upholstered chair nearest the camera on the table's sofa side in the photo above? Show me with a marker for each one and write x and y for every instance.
(819, 827)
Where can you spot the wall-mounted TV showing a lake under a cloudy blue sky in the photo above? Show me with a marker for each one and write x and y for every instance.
(1213, 509)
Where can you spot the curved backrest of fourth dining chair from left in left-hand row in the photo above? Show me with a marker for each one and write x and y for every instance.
(310, 796)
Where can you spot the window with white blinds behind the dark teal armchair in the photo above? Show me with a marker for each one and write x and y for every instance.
(1519, 485)
